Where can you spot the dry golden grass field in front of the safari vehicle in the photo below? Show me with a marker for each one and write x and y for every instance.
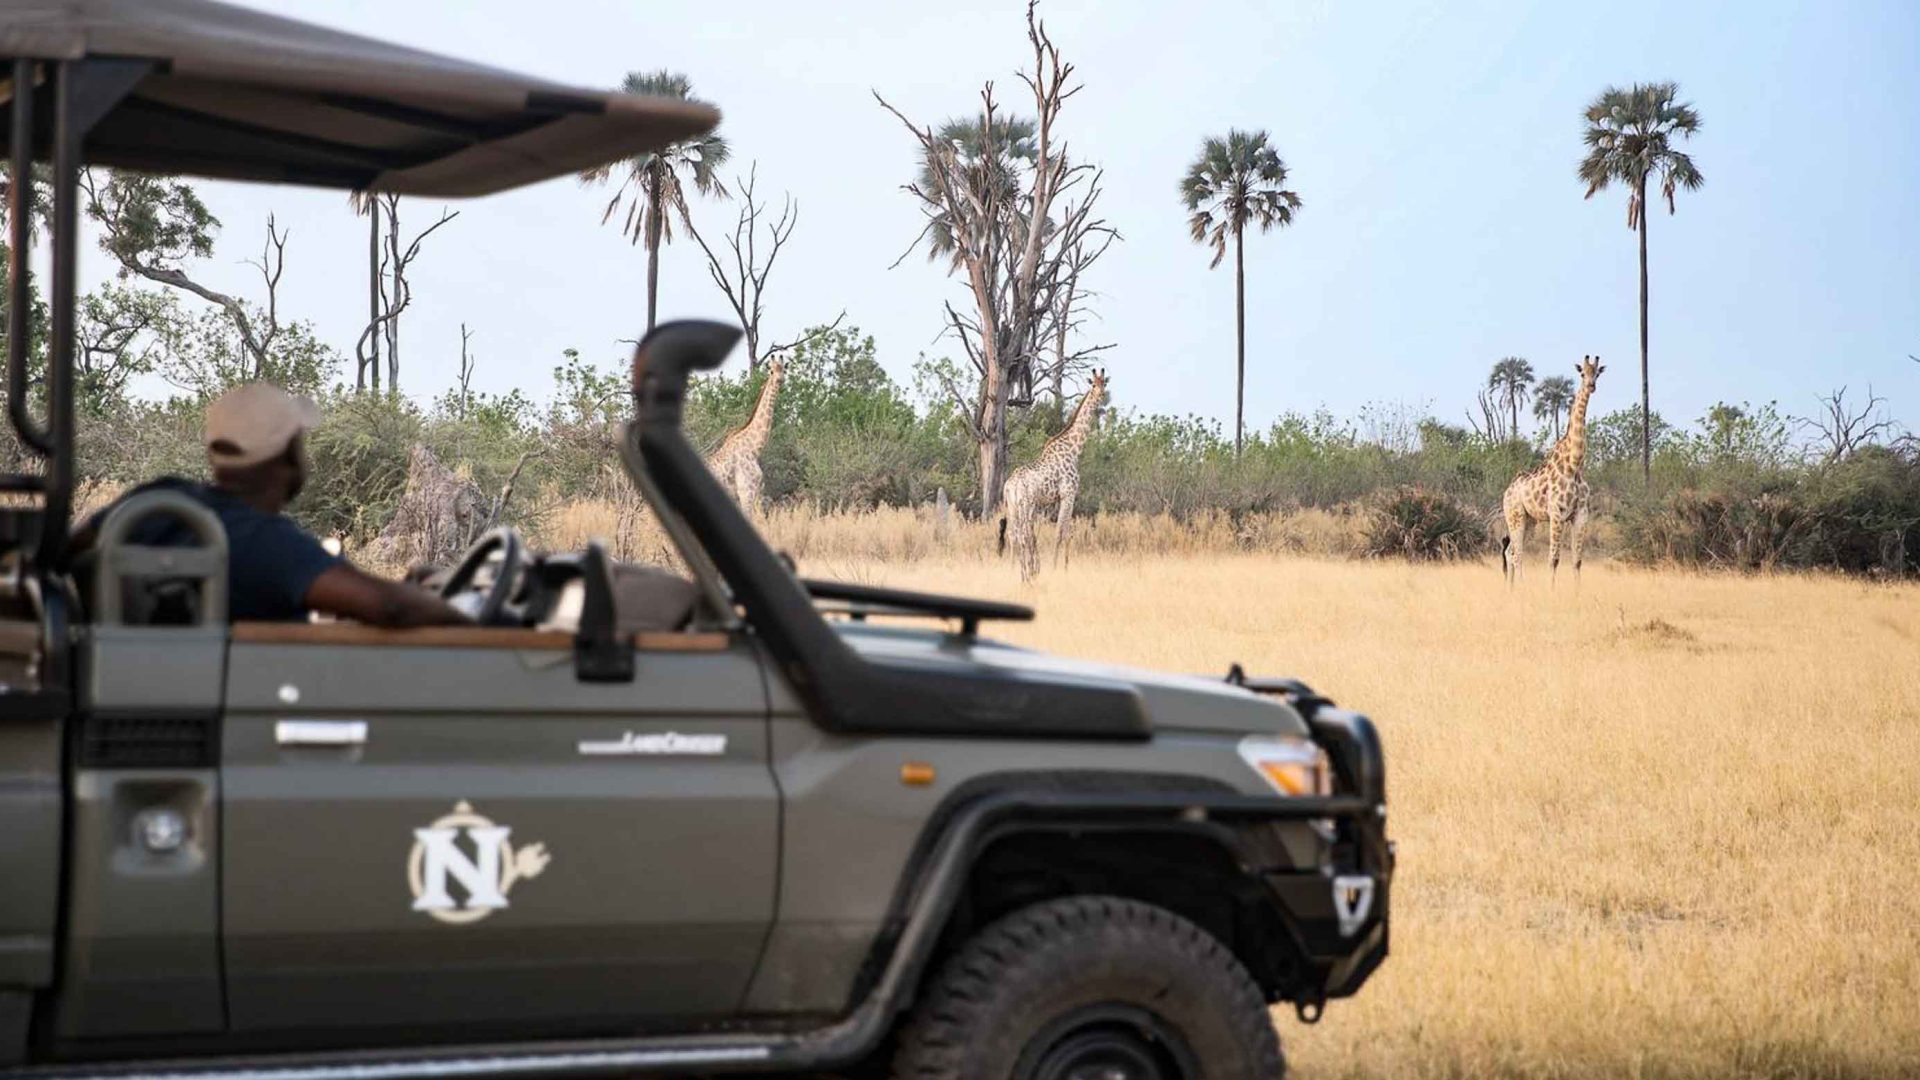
(1668, 825)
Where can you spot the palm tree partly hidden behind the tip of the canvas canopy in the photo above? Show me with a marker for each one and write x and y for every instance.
(654, 184)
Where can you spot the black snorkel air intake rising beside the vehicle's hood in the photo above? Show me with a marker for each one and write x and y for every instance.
(844, 691)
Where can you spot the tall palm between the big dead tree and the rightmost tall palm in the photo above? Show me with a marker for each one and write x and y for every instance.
(1234, 184)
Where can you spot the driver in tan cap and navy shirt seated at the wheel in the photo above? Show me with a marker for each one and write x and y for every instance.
(276, 570)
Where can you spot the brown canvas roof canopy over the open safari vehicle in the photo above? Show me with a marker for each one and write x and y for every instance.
(233, 93)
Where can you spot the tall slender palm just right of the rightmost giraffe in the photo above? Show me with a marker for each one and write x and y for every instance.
(1631, 139)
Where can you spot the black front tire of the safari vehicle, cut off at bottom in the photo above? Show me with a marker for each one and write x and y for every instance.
(1092, 987)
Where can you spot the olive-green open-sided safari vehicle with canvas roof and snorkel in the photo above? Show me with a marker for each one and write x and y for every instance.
(769, 833)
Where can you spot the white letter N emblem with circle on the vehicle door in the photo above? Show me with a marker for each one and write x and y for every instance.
(485, 875)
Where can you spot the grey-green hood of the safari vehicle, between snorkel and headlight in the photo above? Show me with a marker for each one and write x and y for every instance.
(1174, 702)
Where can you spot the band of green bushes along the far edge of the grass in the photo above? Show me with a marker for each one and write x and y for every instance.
(1744, 487)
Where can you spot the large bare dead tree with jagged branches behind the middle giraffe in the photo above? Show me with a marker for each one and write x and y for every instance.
(1011, 220)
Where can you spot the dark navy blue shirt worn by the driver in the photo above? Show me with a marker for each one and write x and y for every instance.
(272, 562)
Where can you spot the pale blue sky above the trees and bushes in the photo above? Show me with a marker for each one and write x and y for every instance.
(1435, 147)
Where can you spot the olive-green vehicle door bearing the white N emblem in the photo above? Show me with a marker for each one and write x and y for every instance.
(448, 831)
